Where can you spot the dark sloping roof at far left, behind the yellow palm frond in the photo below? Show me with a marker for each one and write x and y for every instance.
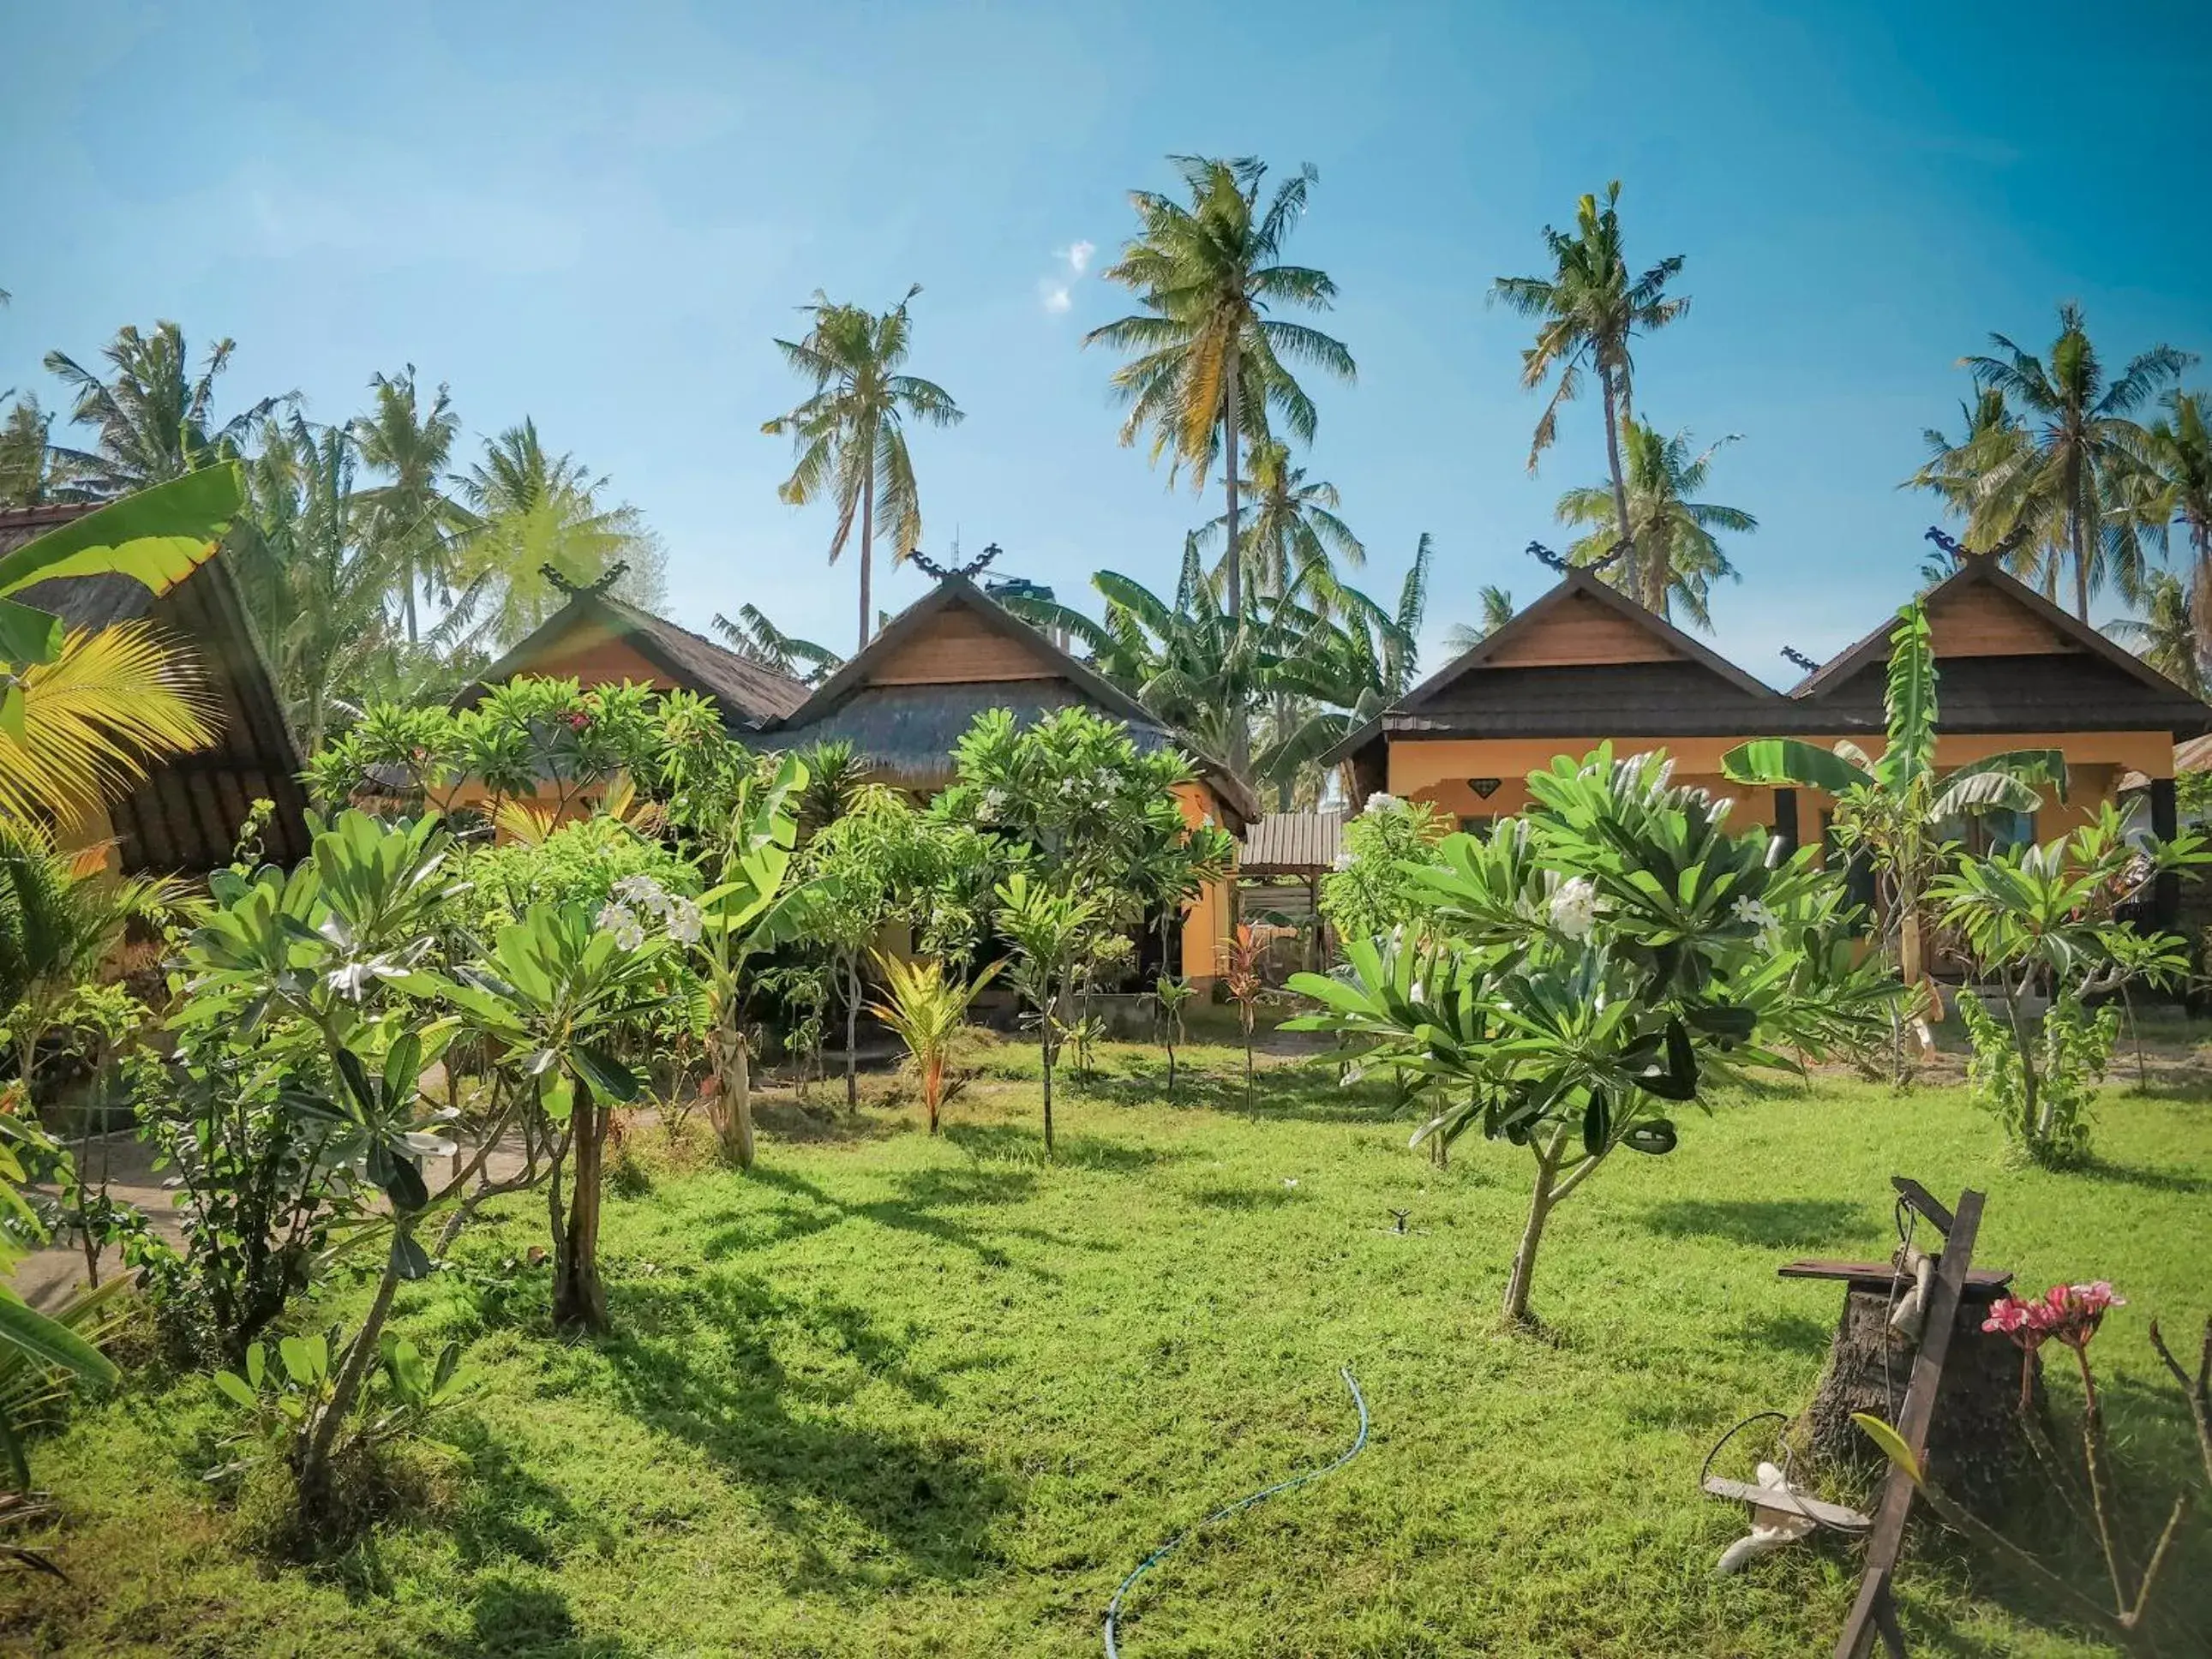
(187, 815)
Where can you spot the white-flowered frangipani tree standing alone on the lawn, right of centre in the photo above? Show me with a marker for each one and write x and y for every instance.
(1594, 963)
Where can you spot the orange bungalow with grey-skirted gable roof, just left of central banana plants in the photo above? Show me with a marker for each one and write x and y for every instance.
(957, 654)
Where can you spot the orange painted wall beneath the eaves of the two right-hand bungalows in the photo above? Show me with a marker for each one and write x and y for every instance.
(1439, 771)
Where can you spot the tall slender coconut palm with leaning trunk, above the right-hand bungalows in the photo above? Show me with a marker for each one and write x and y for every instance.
(1589, 313)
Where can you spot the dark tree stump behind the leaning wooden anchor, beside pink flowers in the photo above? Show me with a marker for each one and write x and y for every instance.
(1976, 1439)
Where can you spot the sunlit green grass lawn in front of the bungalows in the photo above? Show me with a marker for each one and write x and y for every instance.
(930, 1397)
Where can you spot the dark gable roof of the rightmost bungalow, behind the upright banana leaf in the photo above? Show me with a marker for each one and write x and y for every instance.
(2094, 689)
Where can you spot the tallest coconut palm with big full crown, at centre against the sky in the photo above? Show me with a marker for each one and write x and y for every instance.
(1209, 362)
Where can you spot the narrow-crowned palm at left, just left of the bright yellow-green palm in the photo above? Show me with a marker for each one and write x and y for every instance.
(410, 514)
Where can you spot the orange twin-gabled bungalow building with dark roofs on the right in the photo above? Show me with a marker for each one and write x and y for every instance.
(1587, 665)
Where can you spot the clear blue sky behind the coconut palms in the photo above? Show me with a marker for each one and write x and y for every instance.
(603, 216)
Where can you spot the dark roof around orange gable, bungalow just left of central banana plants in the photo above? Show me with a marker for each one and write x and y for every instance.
(910, 731)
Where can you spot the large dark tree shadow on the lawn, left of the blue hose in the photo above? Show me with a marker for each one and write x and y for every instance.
(711, 1377)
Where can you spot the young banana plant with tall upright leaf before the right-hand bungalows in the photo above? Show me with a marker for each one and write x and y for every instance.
(1895, 808)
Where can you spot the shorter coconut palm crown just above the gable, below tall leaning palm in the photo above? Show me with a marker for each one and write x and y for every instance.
(1680, 554)
